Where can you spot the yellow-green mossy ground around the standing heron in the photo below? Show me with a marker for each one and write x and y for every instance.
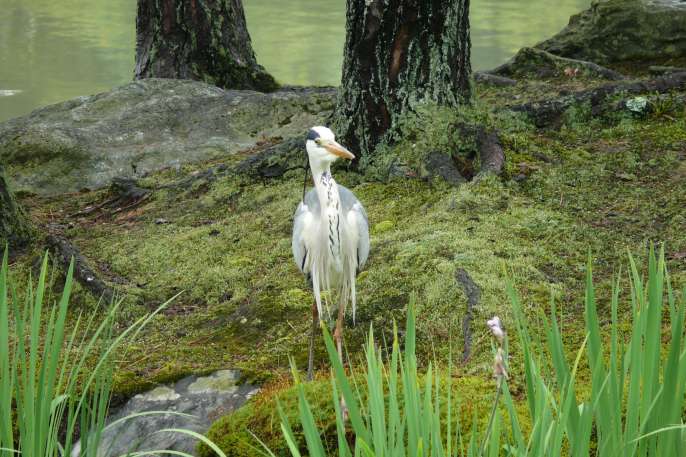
(604, 186)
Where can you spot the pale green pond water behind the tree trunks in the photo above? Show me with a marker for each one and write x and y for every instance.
(54, 50)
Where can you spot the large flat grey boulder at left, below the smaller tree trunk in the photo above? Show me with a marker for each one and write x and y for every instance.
(147, 125)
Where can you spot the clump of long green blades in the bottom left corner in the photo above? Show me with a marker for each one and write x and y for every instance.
(55, 382)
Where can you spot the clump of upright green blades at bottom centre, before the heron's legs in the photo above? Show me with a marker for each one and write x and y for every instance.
(407, 420)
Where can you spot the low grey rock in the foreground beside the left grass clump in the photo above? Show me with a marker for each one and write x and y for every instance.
(205, 398)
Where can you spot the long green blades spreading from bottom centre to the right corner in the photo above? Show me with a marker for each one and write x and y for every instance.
(635, 406)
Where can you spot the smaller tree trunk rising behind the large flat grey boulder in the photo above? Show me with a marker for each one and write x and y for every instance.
(206, 40)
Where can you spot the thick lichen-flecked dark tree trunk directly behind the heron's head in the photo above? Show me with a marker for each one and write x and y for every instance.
(399, 53)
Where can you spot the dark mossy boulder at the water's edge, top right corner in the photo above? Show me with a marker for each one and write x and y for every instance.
(623, 30)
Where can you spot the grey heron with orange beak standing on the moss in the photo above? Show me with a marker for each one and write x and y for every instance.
(330, 234)
